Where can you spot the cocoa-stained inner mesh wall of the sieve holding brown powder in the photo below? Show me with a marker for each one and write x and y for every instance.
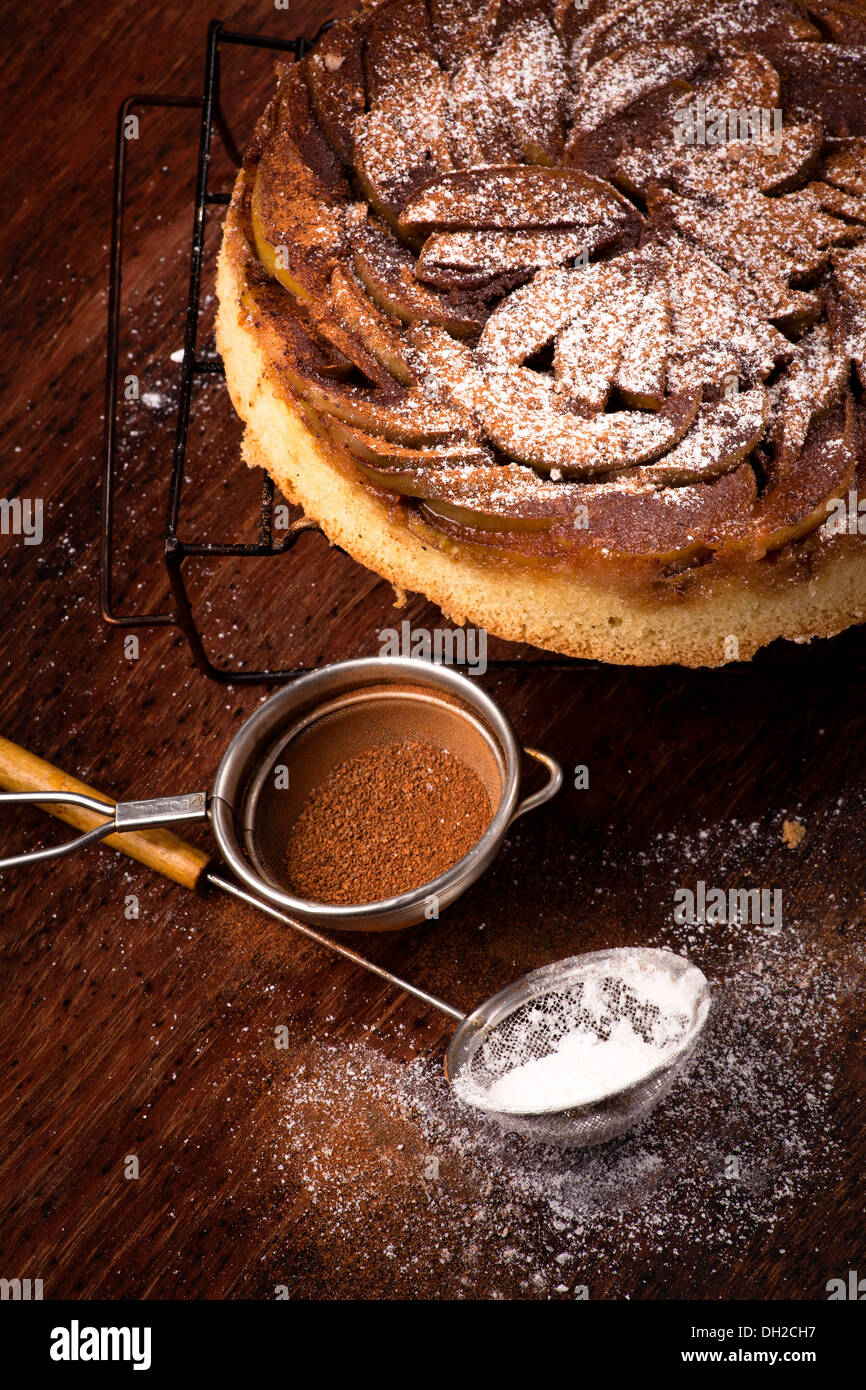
(309, 751)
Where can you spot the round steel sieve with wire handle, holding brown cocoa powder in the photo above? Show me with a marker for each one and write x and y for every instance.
(291, 743)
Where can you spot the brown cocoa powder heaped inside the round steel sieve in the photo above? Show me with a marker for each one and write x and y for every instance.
(386, 822)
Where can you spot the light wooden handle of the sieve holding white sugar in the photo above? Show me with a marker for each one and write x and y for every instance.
(161, 850)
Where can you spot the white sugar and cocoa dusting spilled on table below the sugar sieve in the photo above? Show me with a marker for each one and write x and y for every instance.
(375, 1143)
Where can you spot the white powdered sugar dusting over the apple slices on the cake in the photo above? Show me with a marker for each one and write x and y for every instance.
(490, 169)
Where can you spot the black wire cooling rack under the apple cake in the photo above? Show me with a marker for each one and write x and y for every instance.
(177, 547)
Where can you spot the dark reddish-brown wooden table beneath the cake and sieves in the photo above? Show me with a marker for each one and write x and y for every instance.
(337, 1166)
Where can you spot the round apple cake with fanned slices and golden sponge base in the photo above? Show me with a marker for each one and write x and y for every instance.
(555, 312)
